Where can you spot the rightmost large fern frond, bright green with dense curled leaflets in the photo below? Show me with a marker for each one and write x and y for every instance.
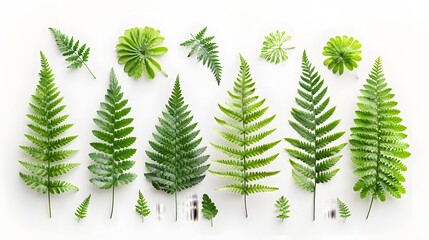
(377, 140)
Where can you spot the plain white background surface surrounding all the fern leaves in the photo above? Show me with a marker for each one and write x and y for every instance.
(395, 30)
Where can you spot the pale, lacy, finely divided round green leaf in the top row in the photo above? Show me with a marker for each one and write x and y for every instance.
(273, 49)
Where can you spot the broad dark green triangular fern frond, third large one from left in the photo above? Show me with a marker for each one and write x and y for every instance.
(178, 158)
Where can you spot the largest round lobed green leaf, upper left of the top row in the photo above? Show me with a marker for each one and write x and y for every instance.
(138, 48)
